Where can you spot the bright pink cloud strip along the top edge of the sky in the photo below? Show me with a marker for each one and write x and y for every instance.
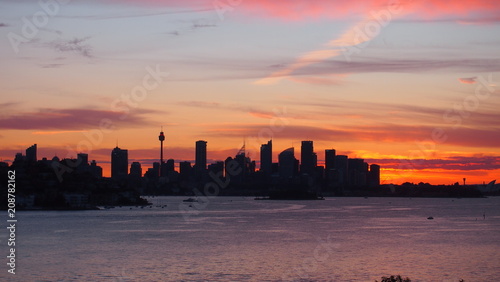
(318, 9)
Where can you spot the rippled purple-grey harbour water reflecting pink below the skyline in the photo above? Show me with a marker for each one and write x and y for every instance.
(240, 239)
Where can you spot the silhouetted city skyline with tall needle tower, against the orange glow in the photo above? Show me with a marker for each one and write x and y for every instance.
(339, 176)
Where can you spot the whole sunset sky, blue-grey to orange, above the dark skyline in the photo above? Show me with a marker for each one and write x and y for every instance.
(410, 85)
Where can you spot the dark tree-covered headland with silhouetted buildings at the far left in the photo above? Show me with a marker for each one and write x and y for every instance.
(71, 183)
